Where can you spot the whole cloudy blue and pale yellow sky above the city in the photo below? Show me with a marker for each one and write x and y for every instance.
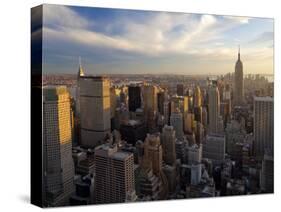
(116, 41)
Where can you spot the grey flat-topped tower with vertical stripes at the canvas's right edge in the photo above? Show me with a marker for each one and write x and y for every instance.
(263, 125)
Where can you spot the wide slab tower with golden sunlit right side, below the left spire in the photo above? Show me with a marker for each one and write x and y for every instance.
(95, 109)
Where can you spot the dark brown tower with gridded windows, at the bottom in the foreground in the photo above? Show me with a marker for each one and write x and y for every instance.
(114, 179)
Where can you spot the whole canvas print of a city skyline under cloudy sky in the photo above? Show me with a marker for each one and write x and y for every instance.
(134, 137)
